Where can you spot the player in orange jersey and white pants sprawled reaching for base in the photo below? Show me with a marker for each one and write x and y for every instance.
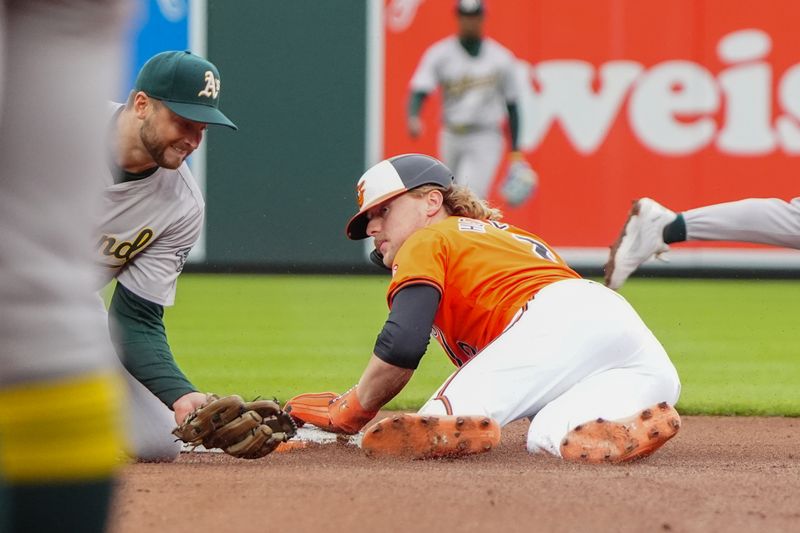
(529, 337)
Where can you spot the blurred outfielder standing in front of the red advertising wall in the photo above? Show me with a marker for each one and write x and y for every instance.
(476, 77)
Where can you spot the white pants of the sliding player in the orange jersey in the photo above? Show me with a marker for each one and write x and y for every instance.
(579, 352)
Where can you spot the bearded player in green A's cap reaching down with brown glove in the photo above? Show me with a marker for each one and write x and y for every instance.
(152, 216)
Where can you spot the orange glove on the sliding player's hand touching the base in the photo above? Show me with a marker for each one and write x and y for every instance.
(326, 410)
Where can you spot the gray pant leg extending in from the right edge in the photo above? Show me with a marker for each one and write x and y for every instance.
(757, 220)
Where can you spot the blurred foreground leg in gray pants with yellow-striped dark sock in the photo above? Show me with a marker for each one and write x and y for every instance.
(59, 381)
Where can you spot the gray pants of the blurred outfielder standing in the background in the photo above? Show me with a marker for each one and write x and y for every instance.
(473, 157)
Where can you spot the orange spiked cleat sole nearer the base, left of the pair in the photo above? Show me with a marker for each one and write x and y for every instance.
(414, 436)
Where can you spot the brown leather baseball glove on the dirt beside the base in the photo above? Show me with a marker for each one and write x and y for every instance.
(247, 430)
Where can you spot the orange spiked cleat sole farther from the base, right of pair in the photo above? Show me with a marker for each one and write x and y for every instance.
(604, 441)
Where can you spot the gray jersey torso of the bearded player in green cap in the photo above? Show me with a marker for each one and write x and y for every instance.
(147, 228)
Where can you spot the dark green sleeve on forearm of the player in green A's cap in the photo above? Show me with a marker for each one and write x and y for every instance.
(140, 339)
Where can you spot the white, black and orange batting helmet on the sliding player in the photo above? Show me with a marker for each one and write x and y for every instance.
(391, 178)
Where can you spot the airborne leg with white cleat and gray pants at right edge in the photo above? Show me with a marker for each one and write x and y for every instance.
(651, 228)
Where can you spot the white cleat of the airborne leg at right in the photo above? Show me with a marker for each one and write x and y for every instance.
(641, 239)
